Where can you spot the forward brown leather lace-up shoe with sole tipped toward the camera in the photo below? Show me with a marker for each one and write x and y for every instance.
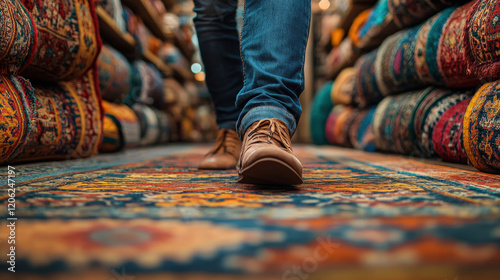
(267, 157)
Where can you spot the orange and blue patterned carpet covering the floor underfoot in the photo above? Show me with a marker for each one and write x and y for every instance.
(150, 214)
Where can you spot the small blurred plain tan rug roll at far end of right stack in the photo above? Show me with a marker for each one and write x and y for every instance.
(343, 90)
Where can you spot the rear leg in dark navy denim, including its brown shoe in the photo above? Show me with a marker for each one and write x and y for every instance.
(215, 25)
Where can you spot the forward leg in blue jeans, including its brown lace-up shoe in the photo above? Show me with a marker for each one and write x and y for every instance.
(273, 47)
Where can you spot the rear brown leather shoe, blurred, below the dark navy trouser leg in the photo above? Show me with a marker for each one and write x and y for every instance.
(225, 153)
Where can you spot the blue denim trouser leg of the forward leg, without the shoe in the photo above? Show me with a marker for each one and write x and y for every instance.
(273, 47)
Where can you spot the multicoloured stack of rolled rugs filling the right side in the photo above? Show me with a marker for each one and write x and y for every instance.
(455, 51)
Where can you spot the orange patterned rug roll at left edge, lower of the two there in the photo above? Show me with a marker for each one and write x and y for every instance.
(17, 106)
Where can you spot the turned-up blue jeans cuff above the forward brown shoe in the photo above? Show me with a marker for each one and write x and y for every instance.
(266, 112)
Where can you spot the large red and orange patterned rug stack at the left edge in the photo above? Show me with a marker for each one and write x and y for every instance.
(56, 114)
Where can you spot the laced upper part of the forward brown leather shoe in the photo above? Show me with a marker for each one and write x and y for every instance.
(270, 132)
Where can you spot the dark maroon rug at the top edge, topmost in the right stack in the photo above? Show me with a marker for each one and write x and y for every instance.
(410, 12)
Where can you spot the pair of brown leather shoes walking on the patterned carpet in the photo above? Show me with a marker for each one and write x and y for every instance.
(266, 156)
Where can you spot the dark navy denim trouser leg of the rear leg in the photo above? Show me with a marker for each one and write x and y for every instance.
(215, 24)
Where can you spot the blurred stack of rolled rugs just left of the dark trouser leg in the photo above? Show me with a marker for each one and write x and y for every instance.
(164, 110)
